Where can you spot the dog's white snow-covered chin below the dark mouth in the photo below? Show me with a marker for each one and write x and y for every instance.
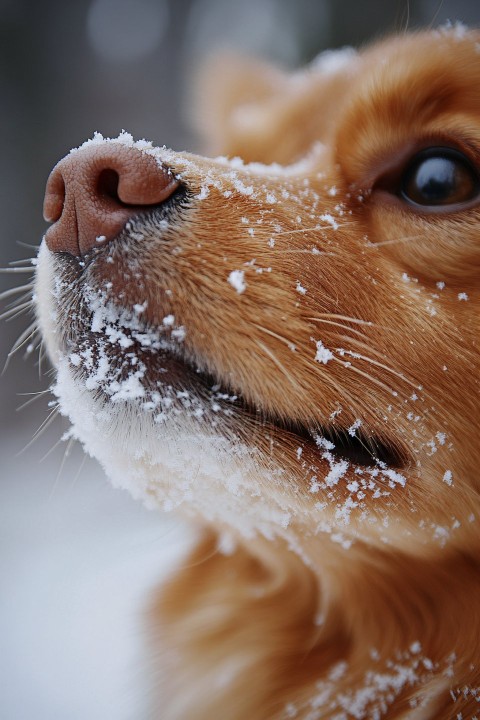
(178, 462)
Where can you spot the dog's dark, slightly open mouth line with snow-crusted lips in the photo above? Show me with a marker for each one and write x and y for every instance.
(121, 358)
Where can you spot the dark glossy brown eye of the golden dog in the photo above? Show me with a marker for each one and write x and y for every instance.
(439, 176)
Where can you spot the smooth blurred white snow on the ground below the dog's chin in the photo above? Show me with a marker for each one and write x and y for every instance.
(77, 561)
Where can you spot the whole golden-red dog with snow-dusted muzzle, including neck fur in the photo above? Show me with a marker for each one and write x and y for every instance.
(281, 342)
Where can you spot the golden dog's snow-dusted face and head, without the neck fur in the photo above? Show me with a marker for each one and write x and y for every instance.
(286, 343)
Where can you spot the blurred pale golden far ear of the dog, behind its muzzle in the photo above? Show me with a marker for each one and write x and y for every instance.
(233, 103)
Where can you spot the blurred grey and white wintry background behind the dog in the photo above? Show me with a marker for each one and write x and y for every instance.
(76, 557)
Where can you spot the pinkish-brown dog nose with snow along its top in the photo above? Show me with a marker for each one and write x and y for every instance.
(93, 192)
